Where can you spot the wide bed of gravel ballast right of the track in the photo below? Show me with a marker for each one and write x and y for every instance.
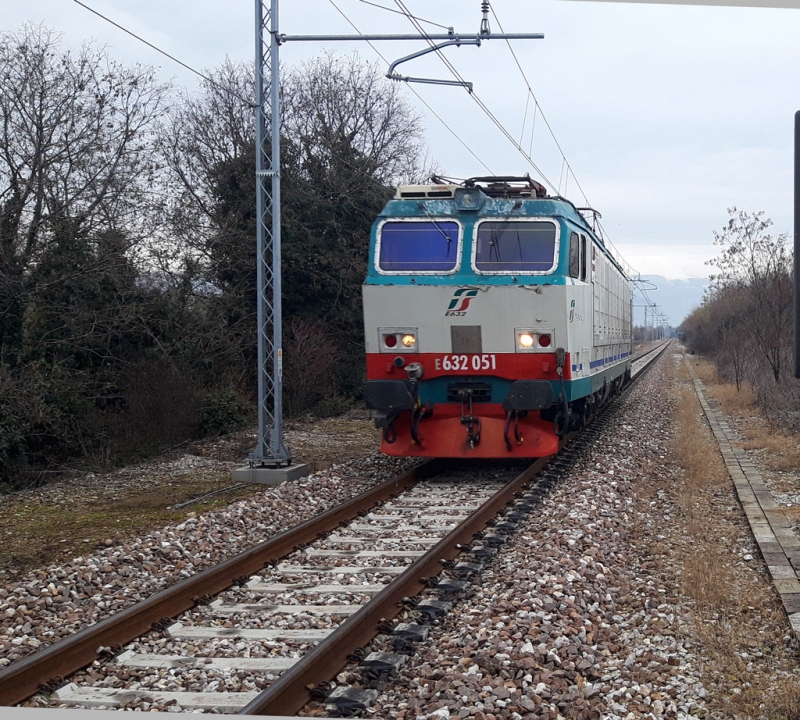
(582, 614)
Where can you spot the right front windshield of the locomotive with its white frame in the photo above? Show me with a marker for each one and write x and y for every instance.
(515, 246)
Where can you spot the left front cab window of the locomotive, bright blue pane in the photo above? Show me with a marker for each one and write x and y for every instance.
(419, 246)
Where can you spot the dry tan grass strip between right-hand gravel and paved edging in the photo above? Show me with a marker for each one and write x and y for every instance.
(737, 617)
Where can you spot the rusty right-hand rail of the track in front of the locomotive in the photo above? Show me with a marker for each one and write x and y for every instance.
(291, 691)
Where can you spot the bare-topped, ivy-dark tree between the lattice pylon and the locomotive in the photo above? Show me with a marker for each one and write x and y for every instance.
(350, 137)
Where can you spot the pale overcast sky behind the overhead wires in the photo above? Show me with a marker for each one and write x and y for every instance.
(668, 114)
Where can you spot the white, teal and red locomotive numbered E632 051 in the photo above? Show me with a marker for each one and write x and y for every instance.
(495, 319)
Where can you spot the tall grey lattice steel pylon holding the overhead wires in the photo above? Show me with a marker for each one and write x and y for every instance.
(269, 449)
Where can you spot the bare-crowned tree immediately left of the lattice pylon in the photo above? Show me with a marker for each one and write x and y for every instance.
(207, 143)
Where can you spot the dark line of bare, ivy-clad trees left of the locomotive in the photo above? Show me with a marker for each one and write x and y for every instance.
(127, 246)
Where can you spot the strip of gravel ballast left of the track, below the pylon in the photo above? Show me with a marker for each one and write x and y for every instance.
(57, 601)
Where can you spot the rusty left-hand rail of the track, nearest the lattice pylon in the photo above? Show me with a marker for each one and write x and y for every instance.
(23, 678)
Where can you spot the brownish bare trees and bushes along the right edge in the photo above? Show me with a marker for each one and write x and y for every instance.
(745, 322)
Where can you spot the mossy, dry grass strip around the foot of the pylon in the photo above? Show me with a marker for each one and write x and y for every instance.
(61, 521)
